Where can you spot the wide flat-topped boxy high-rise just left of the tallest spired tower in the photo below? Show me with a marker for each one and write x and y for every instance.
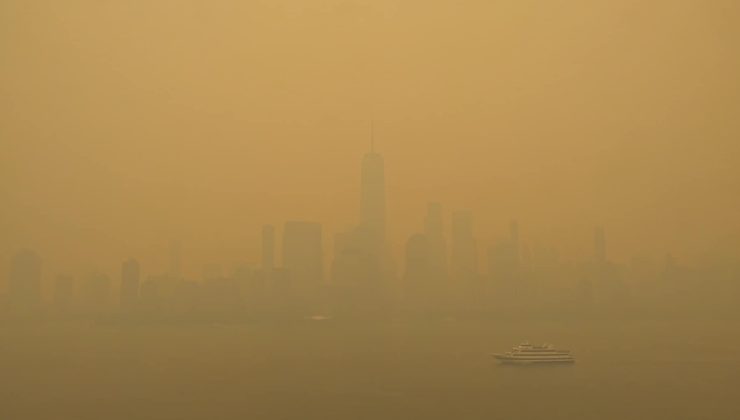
(303, 255)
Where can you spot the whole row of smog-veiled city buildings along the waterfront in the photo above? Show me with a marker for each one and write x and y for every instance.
(439, 276)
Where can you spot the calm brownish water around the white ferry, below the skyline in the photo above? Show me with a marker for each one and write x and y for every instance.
(402, 370)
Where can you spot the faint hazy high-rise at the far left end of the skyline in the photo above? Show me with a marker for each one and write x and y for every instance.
(24, 285)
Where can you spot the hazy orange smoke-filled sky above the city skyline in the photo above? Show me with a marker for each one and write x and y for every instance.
(124, 125)
